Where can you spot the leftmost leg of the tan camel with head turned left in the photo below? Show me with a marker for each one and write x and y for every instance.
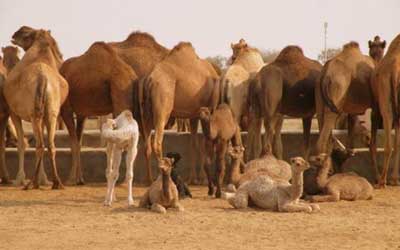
(20, 179)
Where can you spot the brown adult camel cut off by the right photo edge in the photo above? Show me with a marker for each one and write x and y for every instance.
(385, 87)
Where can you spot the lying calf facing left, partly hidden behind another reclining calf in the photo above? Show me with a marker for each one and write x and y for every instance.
(265, 165)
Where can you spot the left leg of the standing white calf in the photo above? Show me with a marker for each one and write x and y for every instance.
(113, 174)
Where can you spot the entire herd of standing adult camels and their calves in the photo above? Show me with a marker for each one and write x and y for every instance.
(146, 87)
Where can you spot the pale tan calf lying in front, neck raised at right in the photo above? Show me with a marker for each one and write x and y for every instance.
(277, 195)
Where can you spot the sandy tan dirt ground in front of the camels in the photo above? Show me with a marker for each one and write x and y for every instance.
(75, 218)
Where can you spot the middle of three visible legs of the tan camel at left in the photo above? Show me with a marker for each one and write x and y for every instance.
(38, 133)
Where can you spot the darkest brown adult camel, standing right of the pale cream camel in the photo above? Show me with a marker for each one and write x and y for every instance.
(285, 87)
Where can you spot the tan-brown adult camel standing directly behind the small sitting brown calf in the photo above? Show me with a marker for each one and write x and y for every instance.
(178, 87)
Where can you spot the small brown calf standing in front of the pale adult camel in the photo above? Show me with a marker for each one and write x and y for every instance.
(219, 128)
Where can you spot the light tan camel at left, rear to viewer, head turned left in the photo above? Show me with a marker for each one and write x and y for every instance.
(34, 91)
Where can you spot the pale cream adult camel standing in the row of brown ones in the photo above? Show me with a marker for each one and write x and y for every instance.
(245, 63)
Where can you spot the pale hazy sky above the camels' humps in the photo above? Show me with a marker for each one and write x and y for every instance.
(211, 25)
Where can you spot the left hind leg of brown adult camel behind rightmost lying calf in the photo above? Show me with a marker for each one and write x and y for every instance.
(325, 135)
